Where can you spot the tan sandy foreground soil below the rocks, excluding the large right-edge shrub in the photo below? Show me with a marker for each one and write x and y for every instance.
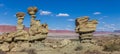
(64, 46)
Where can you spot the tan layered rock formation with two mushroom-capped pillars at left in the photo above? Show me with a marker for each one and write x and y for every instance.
(37, 31)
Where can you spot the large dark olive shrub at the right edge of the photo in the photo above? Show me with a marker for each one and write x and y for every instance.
(112, 45)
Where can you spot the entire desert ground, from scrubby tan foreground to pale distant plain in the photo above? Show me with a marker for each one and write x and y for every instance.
(68, 43)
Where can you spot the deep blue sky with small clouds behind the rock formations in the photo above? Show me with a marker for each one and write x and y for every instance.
(60, 14)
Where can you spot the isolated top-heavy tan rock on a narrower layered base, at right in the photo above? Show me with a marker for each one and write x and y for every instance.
(85, 28)
